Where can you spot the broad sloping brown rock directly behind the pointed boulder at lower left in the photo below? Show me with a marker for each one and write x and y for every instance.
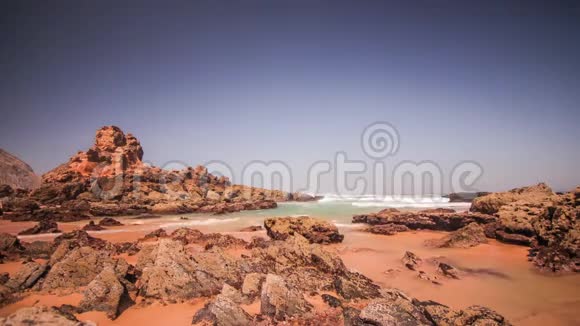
(79, 267)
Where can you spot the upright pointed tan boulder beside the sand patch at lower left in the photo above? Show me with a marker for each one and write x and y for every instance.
(104, 293)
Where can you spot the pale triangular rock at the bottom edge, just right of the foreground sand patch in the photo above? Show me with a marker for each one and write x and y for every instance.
(222, 311)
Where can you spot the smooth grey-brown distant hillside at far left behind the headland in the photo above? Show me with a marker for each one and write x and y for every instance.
(16, 173)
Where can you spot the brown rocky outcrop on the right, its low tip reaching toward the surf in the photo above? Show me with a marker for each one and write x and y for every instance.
(534, 216)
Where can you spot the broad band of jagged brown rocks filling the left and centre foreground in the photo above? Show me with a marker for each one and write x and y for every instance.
(230, 273)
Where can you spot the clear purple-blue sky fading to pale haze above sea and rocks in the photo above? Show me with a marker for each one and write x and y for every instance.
(492, 82)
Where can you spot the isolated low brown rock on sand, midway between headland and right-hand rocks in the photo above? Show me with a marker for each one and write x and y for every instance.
(315, 230)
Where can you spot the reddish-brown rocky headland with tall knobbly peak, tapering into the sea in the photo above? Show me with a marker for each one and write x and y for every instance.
(111, 179)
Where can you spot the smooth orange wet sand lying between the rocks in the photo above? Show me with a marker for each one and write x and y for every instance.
(493, 274)
